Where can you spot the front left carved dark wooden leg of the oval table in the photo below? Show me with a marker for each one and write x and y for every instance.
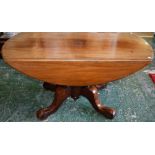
(61, 93)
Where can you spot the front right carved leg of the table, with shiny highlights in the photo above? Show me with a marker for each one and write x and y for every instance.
(91, 93)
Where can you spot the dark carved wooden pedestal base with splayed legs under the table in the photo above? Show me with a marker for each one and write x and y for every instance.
(62, 92)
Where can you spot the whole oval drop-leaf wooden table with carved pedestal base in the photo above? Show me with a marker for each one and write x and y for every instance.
(74, 64)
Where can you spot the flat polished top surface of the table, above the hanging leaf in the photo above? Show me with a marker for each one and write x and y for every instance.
(77, 46)
